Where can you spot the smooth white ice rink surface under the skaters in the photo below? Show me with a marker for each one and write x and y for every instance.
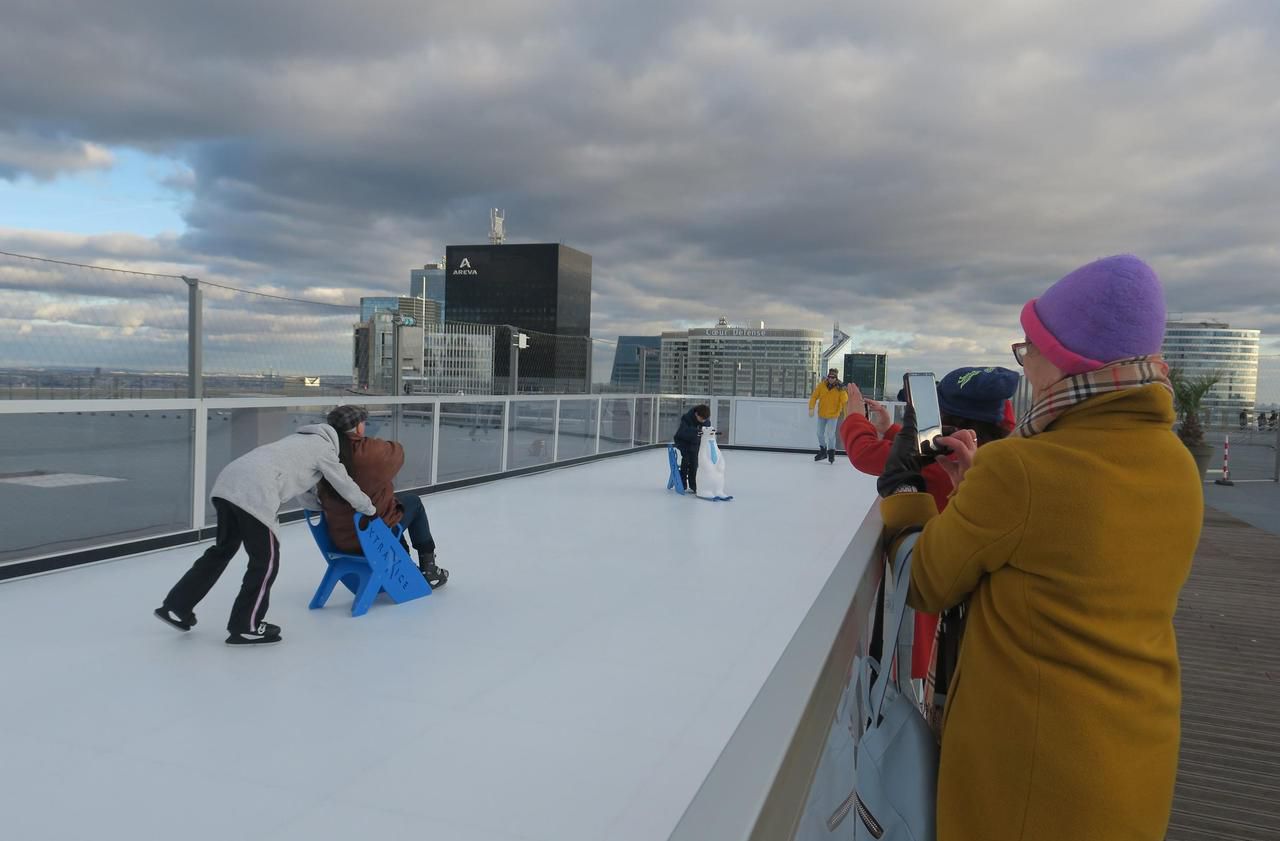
(597, 646)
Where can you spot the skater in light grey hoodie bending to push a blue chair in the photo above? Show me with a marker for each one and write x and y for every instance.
(248, 496)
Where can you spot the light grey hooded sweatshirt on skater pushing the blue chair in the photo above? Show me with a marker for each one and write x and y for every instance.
(264, 479)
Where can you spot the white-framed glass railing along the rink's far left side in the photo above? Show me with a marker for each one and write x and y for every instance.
(596, 424)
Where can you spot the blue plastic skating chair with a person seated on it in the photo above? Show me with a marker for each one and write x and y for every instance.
(386, 566)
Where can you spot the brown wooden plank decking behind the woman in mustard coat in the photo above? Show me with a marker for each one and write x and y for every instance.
(1229, 643)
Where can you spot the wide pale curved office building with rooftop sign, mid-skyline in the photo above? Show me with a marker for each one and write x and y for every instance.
(742, 362)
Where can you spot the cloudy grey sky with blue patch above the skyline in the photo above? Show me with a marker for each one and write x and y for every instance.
(916, 171)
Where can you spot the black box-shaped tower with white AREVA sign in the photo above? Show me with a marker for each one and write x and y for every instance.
(543, 290)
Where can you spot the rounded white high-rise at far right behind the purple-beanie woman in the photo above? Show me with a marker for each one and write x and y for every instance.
(1210, 348)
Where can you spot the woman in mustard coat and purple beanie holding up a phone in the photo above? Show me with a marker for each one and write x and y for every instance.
(1071, 542)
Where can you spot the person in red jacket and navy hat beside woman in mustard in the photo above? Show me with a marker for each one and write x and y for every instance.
(976, 399)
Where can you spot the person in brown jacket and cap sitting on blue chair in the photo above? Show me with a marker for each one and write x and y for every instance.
(374, 463)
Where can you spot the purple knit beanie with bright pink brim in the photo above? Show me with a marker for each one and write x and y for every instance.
(1109, 310)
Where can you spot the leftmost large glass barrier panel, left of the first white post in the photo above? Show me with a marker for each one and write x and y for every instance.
(71, 481)
